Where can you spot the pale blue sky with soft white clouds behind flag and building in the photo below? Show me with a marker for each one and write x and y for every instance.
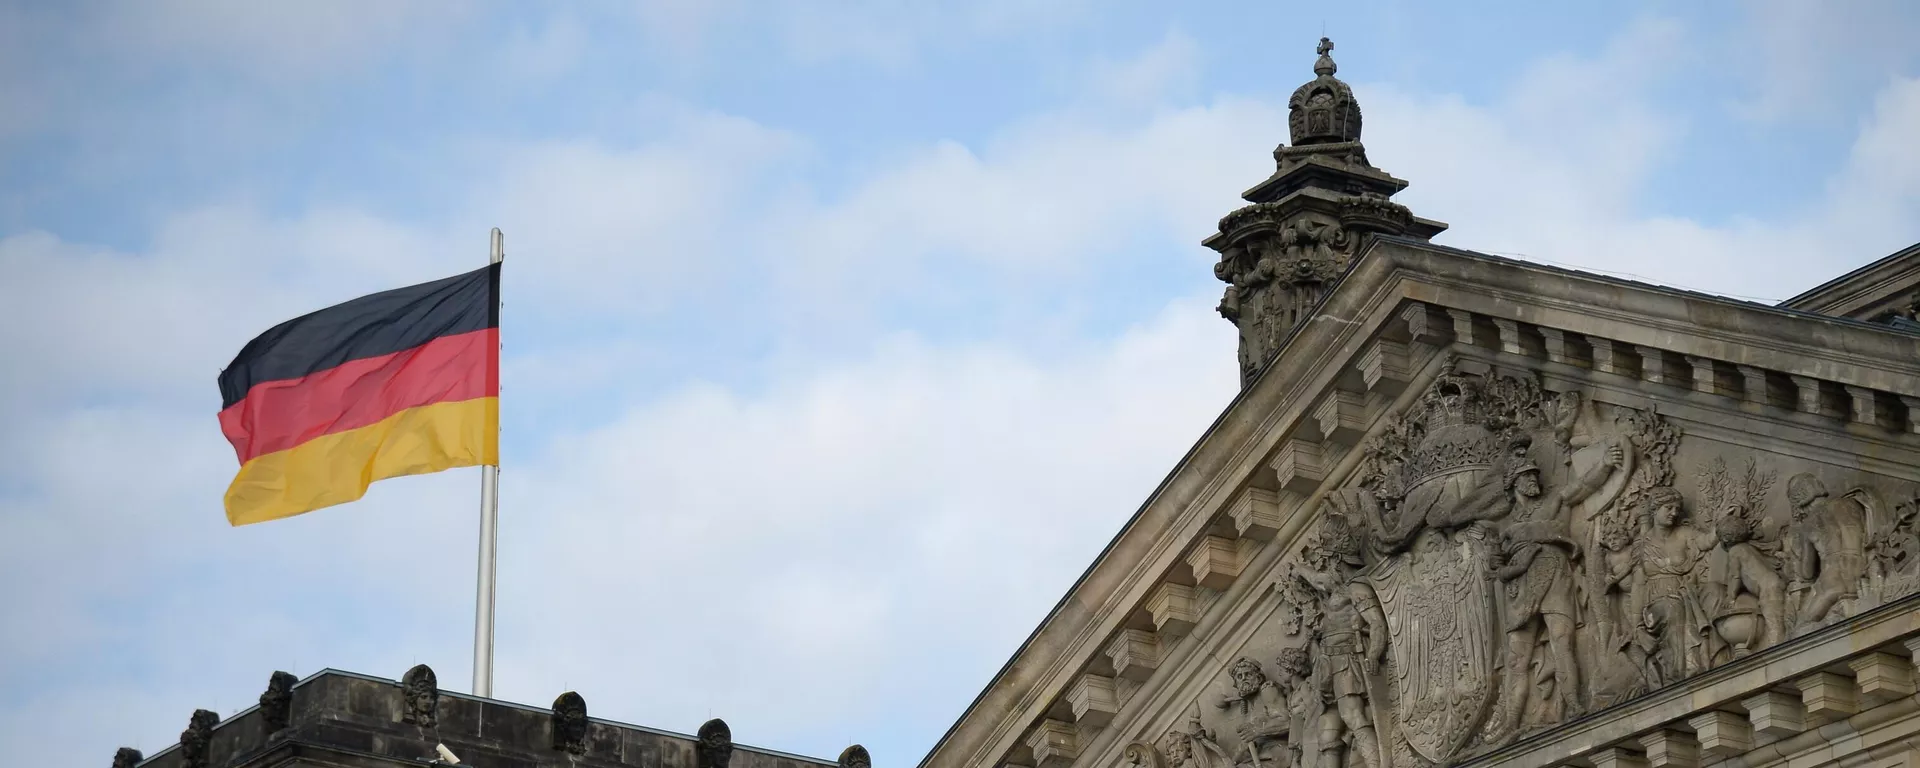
(840, 337)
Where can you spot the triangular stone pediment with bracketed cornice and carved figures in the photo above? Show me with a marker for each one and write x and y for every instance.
(1687, 523)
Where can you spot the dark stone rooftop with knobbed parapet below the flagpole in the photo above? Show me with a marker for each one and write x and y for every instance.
(352, 721)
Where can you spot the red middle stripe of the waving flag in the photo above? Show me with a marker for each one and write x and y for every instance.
(285, 414)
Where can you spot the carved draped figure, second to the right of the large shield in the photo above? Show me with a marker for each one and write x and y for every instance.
(1662, 594)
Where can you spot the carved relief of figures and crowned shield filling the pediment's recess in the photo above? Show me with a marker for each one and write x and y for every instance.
(1510, 558)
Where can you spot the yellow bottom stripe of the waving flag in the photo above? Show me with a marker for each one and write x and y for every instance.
(339, 468)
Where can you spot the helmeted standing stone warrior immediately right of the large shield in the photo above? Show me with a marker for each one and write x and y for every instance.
(1537, 567)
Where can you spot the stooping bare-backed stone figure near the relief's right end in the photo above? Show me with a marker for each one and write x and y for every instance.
(1829, 546)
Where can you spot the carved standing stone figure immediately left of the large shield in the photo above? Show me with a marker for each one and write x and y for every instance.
(1351, 640)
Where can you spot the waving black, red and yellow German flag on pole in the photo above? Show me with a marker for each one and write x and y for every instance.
(389, 385)
